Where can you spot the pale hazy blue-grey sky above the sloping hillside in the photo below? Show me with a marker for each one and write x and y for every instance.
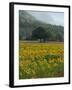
(56, 18)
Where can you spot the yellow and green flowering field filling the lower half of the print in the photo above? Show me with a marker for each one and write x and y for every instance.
(41, 60)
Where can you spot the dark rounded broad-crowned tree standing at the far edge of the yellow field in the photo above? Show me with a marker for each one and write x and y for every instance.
(39, 33)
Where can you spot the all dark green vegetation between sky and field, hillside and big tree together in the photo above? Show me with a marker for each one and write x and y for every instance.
(32, 29)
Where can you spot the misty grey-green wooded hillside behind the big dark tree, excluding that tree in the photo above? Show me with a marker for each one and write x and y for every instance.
(28, 23)
